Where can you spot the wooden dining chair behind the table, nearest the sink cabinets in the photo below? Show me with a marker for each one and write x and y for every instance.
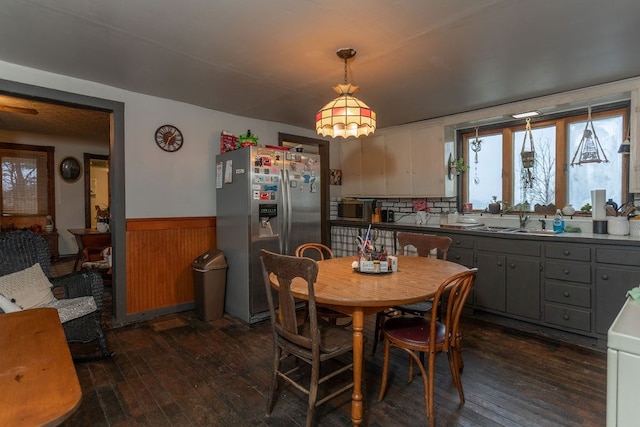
(424, 244)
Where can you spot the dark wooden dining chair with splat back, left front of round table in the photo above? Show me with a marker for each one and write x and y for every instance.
(313, 341)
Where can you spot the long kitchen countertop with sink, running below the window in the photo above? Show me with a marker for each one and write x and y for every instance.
(434, 224)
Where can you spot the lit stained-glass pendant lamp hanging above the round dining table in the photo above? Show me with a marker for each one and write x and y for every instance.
(346, 115)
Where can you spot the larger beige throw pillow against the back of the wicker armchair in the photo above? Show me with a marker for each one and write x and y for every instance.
(27, 288)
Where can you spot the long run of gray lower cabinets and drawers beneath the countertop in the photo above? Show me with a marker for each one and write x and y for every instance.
(575, 286)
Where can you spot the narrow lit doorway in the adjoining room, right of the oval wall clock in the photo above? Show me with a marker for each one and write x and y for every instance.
(96, 187)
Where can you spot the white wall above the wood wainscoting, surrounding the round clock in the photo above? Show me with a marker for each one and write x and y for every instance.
(160, 184)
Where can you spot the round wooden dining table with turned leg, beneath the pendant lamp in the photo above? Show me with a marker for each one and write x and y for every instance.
(360, 294)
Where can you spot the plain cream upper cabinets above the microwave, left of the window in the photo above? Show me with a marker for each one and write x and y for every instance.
(405, 163)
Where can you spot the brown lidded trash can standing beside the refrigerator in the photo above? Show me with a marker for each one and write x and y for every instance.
(209, 280)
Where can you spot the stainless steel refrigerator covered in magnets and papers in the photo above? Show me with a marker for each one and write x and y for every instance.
(266, 198)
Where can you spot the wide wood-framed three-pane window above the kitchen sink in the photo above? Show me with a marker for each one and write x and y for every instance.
(496, 169)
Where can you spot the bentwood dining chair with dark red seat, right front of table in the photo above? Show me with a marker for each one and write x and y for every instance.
(419, 334)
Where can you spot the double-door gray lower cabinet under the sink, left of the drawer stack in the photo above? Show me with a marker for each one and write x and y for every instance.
(508, 277)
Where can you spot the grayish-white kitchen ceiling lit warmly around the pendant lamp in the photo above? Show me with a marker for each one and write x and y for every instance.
(275, 60)
